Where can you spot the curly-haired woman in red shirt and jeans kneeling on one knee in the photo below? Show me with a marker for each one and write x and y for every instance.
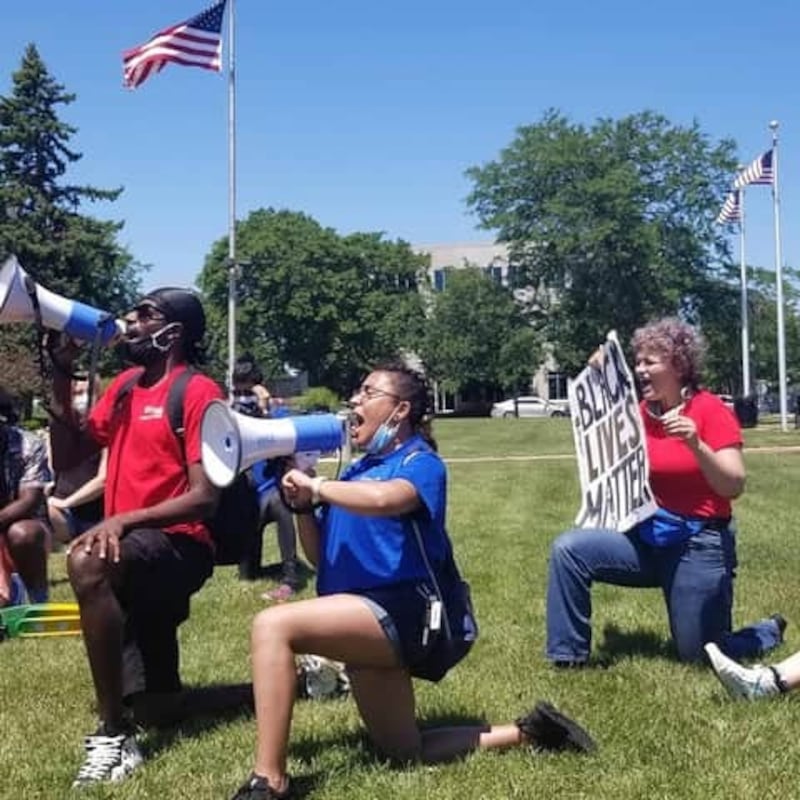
(688, 549)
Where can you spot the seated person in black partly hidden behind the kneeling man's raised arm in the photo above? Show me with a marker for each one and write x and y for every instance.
(75, 502)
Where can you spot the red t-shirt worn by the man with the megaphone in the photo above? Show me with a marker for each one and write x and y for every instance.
(145, 458)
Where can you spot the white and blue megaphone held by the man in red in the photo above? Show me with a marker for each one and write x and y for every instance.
(57, 313)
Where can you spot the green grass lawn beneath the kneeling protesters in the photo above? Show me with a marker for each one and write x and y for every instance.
(665, 730)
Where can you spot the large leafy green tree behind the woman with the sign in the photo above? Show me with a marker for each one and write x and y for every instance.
(615, 220)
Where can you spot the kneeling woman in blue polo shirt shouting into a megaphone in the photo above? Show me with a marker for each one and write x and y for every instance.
(384, 561)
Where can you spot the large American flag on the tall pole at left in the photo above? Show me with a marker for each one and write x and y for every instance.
(194, 43)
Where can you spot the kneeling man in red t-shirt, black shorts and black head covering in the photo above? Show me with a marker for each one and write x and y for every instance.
(134, 573)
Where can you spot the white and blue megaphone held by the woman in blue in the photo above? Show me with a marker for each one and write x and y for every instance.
(232, 442)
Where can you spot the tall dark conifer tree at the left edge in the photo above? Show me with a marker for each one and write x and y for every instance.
(41, 222)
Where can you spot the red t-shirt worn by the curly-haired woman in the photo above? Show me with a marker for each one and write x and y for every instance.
(675, 476)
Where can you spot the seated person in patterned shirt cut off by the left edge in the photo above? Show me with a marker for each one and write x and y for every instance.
(24, 532)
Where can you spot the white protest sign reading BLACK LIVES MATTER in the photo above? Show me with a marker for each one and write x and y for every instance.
(610, 443)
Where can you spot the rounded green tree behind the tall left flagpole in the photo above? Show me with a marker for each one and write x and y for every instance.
(315, 300)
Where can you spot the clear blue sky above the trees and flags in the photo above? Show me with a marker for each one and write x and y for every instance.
(366, 114)
